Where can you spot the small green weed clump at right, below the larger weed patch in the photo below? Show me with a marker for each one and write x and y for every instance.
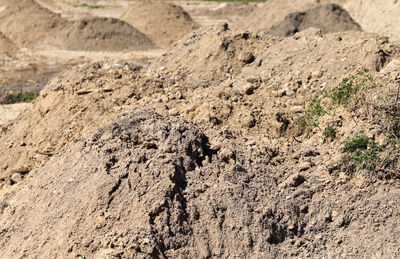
(362, 151)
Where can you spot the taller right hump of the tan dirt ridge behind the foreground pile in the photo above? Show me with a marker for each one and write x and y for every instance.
(249, 81)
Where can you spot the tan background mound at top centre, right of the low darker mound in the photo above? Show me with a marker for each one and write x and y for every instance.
(164, 23)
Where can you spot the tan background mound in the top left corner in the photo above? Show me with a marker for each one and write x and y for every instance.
(26, 23)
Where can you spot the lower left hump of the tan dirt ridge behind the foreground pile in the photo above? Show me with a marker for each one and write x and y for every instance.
(96, 94)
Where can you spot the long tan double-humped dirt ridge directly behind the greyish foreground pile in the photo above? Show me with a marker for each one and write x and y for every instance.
(247, 82)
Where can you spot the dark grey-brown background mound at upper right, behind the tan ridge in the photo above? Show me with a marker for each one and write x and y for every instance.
(328, 18)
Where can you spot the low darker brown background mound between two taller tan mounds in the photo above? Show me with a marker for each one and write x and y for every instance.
(99, 34)
